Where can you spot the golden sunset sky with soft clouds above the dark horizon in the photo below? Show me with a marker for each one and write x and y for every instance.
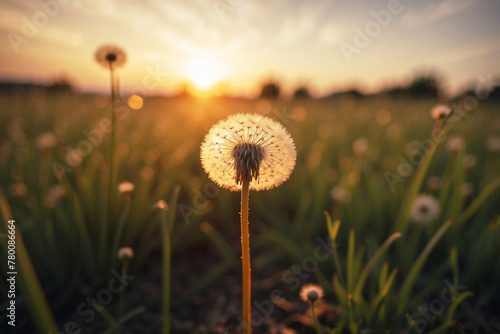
(237, 45)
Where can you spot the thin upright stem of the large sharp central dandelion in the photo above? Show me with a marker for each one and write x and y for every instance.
(245, 254)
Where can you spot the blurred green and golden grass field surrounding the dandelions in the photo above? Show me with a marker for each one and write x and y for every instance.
(358, 161)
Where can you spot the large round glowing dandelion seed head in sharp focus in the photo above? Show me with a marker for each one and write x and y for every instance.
(248, 146)
